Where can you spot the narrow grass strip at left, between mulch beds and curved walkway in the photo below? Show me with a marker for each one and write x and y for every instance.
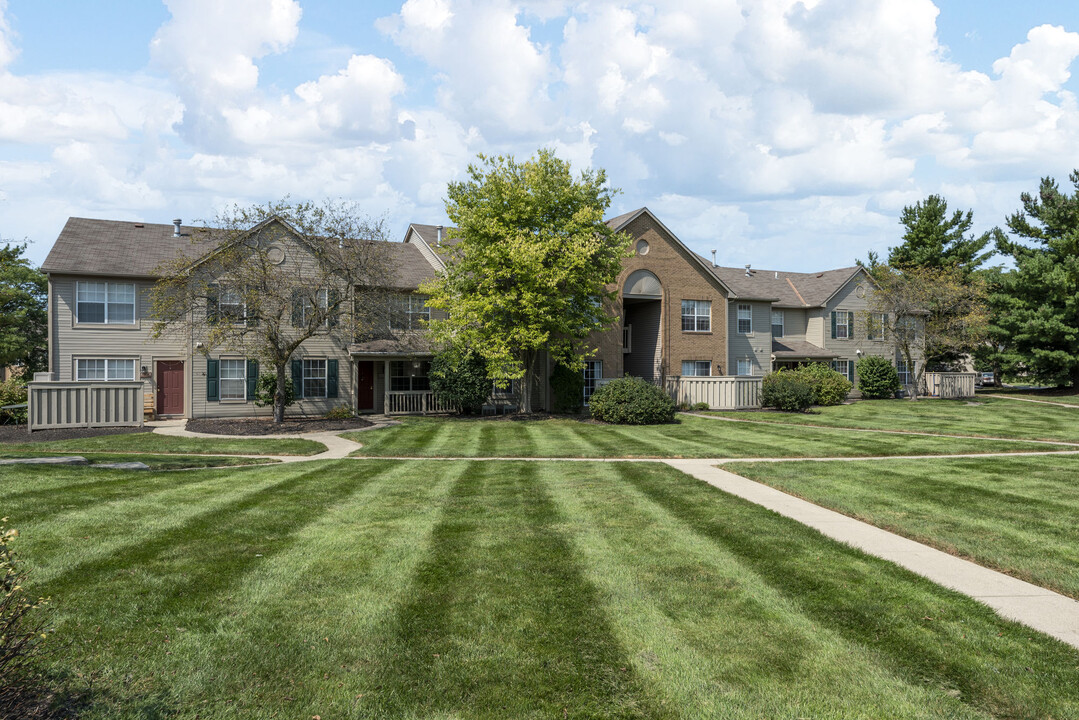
(170, 444)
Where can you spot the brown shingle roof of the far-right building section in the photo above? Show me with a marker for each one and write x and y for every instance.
(790, 290)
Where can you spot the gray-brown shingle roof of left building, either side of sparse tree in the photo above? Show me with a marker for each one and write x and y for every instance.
(136, 250)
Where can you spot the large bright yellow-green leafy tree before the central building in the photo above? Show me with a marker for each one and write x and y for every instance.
(531, 269)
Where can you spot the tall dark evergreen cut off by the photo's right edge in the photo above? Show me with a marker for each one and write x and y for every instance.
(1036, 306)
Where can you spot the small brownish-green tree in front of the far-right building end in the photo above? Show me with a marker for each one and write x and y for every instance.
(928, 313)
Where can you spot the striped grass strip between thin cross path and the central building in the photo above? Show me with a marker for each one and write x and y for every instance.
(691, 438)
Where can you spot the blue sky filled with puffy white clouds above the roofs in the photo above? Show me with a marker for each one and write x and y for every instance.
(783, 133)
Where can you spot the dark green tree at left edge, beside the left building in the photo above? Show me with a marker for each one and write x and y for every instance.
(24, 311)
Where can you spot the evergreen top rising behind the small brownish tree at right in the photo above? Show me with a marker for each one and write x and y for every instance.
(934, 239)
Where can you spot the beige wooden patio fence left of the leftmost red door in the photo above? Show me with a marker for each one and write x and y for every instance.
(84, 405)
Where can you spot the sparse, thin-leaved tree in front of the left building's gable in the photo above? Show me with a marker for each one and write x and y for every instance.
(265, 279)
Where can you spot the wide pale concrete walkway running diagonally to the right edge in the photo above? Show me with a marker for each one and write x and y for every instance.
(1035, 607)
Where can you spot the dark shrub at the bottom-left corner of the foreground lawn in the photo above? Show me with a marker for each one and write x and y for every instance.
(22, 624)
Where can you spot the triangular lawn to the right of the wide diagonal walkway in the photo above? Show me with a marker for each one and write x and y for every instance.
(1014, 514)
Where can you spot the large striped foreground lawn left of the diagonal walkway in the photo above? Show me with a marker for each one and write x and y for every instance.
(480, 590)
